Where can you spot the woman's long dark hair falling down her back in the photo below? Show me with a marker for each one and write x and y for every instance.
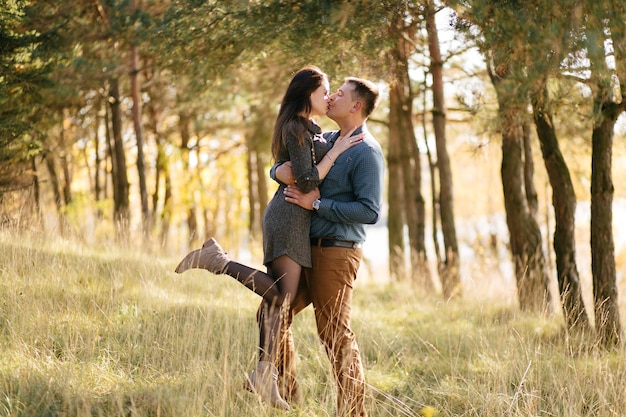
(297, 100)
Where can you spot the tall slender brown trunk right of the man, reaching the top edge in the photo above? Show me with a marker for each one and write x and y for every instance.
(449, 271)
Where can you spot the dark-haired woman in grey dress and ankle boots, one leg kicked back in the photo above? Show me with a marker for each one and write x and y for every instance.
(286, 245)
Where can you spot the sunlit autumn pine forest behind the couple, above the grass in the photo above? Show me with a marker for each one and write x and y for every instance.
(146, 126)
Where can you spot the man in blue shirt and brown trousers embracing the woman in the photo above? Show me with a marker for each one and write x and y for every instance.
(349, 198)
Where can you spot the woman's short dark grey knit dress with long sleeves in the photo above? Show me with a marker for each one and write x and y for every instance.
(286, 225)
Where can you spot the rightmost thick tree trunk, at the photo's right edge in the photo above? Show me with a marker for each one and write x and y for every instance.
(607, 107)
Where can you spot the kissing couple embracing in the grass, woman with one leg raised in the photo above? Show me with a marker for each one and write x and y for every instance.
(314, 229)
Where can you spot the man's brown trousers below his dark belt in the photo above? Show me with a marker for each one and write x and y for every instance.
(328, 286)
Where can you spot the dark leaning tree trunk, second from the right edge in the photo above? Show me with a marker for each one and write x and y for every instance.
(564, 204)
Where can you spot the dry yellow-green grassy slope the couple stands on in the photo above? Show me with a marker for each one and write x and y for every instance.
(114, 333)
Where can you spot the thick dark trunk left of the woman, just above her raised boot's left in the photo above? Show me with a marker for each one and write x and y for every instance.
(121, 188)
